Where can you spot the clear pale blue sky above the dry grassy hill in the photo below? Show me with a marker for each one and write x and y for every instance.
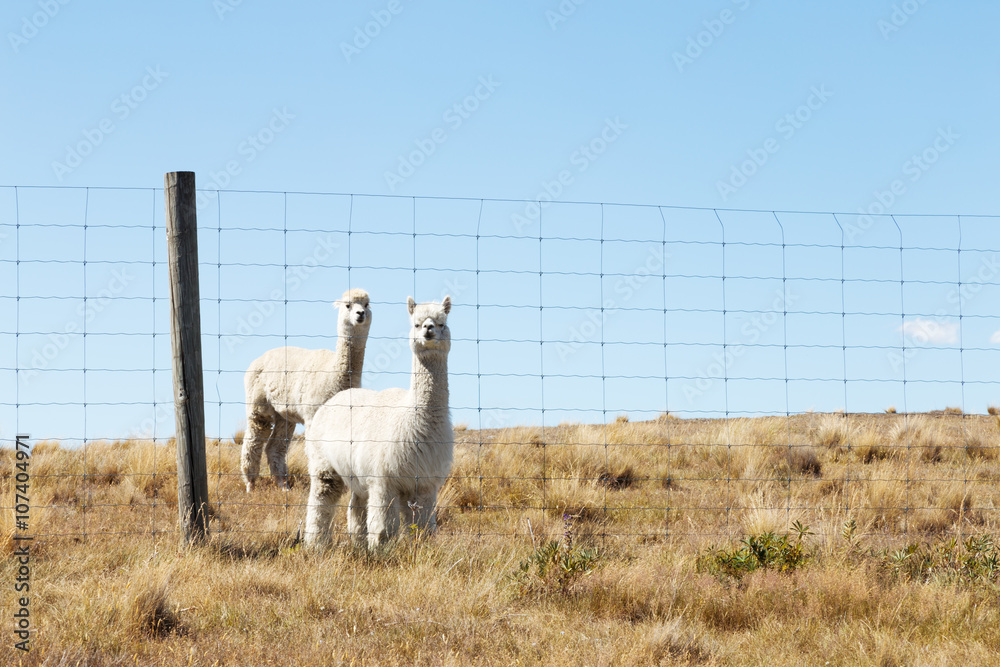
(857, 108)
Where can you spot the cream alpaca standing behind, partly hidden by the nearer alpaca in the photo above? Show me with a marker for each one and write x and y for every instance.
(287, 385)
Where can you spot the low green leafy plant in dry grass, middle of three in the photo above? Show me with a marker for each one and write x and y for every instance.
(782, 553)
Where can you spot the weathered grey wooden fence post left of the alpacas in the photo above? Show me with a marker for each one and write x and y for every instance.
(185, 344)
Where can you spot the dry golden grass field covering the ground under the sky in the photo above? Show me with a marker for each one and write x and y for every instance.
(813, 539)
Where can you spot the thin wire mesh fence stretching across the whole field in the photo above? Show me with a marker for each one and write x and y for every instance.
(645, 372)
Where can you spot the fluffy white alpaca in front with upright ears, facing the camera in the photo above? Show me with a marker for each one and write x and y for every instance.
(391, 448)
